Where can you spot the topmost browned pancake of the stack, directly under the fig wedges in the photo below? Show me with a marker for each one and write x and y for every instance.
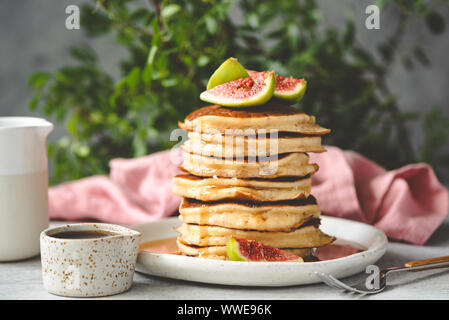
(217, 119)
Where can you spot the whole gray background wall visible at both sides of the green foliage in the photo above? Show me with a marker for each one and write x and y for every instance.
(33, 37)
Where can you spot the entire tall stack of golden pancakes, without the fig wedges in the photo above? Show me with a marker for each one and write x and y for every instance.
(248, 176)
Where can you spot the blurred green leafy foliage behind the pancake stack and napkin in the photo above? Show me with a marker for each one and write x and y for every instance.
(174, 46)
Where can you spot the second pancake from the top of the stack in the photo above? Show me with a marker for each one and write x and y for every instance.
(221, 146)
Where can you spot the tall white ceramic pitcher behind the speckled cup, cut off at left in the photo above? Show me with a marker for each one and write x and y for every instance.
(23, 185)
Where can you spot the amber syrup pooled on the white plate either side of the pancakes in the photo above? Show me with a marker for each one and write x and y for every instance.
(332, 251)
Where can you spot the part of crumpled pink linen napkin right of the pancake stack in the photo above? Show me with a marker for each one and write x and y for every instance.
(408, 203)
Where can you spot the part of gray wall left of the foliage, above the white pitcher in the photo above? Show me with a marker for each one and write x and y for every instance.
(34, 37)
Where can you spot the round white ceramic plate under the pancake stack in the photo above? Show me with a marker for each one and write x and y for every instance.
(261, 273)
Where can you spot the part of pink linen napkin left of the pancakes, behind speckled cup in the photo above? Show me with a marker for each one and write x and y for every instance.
(136, 191)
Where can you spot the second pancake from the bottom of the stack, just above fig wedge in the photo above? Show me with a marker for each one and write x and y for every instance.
(306, 236)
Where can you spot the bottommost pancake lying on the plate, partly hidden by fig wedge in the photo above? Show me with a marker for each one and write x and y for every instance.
(219, 252)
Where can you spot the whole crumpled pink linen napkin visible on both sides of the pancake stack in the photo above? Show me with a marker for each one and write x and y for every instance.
(407, 203)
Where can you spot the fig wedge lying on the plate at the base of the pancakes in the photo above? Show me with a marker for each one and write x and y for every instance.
(249, 250)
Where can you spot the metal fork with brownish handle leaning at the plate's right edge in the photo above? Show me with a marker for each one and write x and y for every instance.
(361, 288)
